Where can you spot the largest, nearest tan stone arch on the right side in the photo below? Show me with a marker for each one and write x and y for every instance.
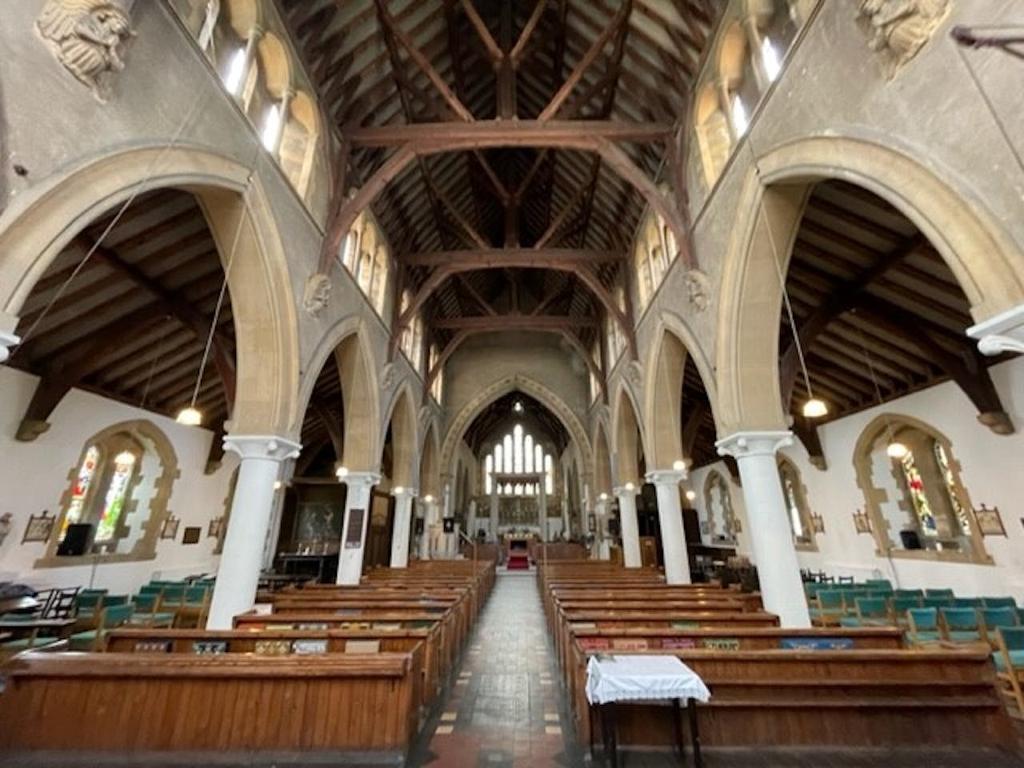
(984, 259)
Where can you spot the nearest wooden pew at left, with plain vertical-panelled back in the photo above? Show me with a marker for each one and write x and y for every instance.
(363, 707)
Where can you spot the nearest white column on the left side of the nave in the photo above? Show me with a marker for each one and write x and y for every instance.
(242, 560)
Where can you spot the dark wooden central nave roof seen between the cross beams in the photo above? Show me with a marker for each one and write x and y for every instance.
(386, 63)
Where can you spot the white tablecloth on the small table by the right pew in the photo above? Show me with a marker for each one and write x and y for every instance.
(626, 678)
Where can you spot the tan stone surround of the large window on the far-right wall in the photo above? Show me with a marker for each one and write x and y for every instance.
(874, 497)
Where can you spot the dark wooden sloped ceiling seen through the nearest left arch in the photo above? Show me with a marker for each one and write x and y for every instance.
(133, 321)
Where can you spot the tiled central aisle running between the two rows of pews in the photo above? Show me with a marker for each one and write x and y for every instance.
(505, 708)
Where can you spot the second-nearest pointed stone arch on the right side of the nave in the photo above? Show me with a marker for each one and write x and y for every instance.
(674, 345)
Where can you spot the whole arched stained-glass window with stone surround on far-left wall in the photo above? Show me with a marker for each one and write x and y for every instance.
(119, 487)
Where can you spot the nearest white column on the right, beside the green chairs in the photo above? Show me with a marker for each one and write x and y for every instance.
(779, 570)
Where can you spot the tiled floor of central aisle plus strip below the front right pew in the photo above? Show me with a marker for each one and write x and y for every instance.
(506, 710)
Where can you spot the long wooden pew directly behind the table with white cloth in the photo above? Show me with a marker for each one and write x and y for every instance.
(824, 699)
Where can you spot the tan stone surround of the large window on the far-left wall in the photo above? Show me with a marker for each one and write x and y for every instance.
(146, 433)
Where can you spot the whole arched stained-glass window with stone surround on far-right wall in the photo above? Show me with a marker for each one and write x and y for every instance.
(914, 493)
